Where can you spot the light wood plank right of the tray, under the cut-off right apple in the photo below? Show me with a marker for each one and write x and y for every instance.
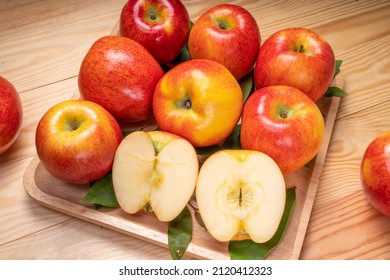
(343, 224)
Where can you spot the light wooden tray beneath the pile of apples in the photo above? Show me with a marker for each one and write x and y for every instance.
(52, 193)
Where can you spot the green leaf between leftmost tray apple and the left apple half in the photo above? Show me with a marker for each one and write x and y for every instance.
(102, 193)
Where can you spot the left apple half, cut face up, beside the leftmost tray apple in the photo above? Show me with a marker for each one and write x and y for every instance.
(155, 171)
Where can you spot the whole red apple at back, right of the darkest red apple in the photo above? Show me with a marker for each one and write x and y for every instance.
(227, 34)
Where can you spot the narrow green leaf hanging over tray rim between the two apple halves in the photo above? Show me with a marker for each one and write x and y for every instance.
(180, 234)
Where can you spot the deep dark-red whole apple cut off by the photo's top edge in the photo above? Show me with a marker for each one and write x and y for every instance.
(161, 26)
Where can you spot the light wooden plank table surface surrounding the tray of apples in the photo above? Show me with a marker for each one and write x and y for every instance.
(42, 44)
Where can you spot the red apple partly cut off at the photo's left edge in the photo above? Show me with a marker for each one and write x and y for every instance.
(11, 114)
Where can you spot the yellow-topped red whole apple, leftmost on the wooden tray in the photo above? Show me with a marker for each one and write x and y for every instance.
(76, 141)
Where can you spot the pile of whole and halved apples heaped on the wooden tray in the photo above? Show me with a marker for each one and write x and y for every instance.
(129, 78)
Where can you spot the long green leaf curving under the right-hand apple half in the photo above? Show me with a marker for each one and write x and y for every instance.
(249, 250)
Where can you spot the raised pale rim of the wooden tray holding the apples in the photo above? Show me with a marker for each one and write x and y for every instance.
(158, 238)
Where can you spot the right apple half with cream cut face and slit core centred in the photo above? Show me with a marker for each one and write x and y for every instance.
(241, 194)
